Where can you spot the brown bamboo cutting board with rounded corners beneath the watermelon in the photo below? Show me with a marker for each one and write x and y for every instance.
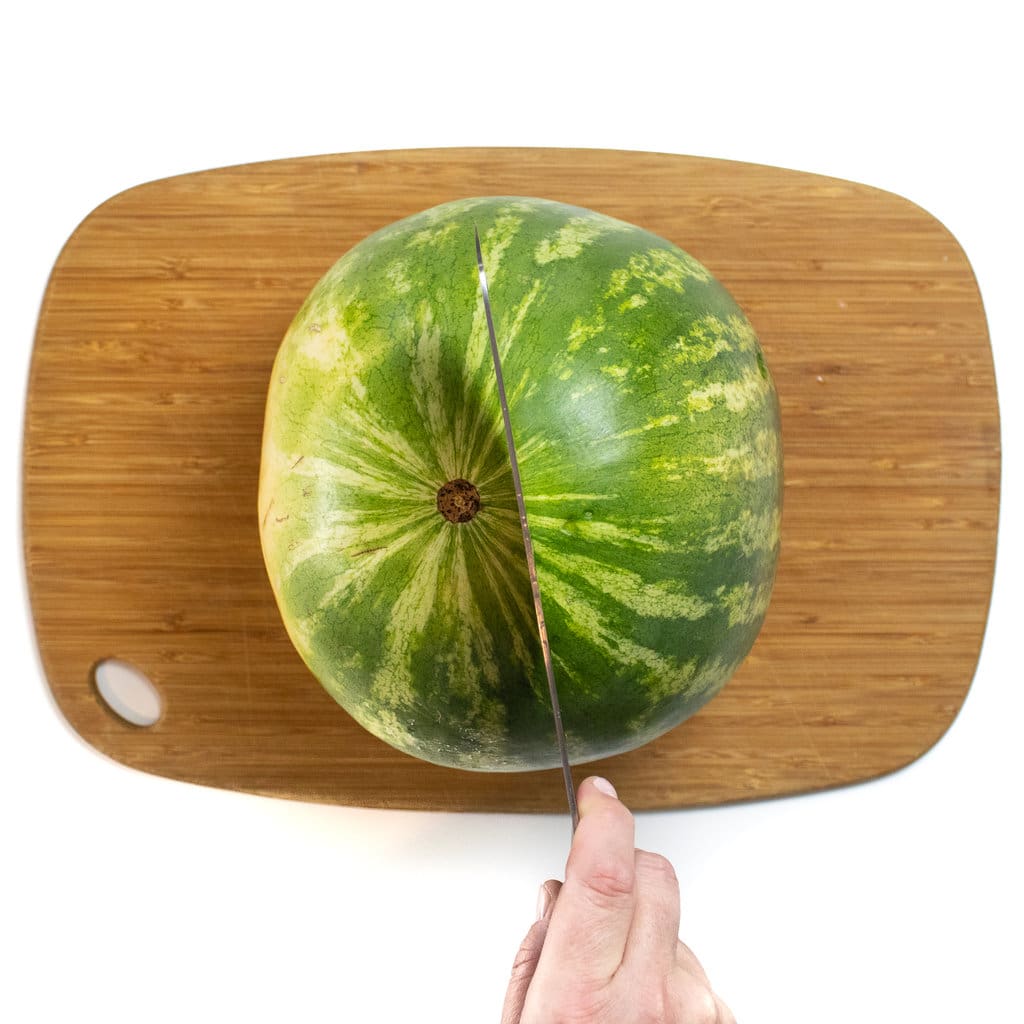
(143, 439)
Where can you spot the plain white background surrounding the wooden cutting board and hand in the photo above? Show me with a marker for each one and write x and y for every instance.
(131, 899)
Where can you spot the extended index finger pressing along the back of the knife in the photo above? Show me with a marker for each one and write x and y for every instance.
(592, 920)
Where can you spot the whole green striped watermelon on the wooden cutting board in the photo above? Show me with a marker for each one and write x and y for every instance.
(648, 431)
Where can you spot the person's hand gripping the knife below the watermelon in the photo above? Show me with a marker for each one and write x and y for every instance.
(606, 949)
